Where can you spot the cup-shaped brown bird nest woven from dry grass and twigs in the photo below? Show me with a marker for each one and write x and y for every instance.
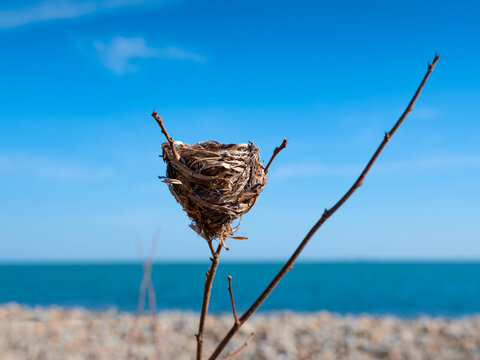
(215, 183)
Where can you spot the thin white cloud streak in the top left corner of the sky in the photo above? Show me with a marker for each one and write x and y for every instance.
(63, 9)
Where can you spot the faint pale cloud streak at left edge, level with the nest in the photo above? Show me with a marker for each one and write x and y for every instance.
(44, 167)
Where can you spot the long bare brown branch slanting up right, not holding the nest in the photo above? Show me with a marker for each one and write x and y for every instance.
(326, 214)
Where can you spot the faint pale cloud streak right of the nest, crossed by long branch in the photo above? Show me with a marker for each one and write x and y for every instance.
(436, 162)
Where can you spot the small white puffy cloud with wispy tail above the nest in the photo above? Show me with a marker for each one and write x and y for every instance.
(117, 54)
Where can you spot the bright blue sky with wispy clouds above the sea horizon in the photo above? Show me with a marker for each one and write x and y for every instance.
(79, 151)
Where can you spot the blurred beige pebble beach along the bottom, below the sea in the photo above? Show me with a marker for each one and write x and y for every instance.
(58, 333)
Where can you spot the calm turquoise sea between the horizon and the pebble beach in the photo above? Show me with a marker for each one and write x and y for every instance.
(404, 289)
